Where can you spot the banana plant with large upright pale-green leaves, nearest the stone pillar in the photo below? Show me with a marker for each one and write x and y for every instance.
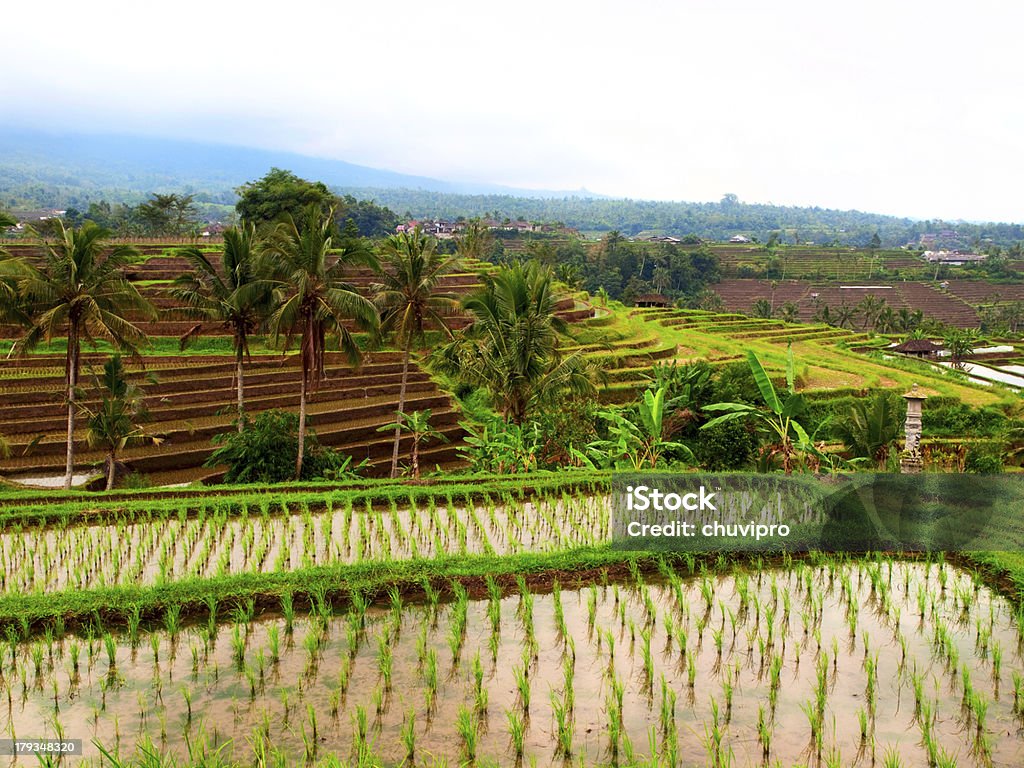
(779, 417)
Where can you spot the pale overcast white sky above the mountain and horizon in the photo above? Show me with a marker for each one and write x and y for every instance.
(904, 108)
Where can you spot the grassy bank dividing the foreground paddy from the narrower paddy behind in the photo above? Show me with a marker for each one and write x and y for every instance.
(214, 599)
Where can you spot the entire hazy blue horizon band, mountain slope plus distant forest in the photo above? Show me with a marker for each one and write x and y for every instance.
(47, 170)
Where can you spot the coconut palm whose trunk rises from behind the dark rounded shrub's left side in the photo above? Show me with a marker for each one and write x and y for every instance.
(237, 297)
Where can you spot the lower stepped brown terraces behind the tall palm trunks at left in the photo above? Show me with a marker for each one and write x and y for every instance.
(194, 400)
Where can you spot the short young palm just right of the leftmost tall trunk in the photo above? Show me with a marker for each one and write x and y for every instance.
(118, 420)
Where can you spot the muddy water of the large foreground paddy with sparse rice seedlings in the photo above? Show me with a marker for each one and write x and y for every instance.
(143, 697)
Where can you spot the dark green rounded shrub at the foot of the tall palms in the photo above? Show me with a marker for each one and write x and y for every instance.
(267, 448)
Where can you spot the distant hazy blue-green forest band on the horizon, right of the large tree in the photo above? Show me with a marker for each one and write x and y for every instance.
(718, 221)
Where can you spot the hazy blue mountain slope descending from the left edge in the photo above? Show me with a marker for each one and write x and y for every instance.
(77, 168)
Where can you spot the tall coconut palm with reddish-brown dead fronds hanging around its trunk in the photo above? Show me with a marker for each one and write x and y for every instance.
(314, 298)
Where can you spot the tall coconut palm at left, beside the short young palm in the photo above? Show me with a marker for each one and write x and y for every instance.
(82, 293)
